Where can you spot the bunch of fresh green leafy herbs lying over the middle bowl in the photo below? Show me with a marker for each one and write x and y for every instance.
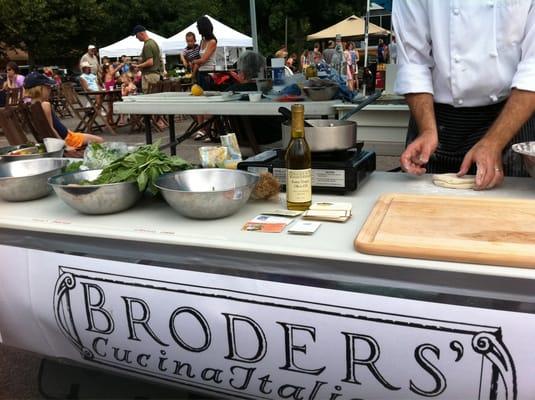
(144, 165)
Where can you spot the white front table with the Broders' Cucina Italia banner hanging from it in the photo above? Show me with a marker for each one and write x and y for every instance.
(60, 269)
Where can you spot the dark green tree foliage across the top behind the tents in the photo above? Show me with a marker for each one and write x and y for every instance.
(59, 29)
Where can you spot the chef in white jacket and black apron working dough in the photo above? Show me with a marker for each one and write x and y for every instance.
(467, 70)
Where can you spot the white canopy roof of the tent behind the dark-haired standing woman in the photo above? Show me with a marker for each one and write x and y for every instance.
(226, 37)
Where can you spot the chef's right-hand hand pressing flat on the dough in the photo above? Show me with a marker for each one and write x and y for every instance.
(488, 159)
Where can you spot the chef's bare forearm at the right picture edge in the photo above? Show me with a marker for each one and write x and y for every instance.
(517, 110)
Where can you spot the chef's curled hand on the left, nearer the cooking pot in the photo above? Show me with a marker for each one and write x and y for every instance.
(417, 154)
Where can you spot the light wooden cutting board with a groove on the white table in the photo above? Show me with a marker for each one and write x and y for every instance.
(473, 230)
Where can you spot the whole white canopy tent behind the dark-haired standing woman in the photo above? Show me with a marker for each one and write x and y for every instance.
(228, 42)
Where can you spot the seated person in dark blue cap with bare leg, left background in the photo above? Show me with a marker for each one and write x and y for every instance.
(37, 87)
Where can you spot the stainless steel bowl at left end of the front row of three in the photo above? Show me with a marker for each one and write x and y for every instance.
(27, 179)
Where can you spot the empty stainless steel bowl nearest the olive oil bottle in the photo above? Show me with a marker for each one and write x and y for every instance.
(207, 193)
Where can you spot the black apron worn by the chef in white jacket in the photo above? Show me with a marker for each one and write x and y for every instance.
(460, 128)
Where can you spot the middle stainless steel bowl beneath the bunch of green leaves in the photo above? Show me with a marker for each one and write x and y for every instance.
(94, 199)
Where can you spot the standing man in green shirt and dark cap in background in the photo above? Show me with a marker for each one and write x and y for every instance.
(151, 58)
